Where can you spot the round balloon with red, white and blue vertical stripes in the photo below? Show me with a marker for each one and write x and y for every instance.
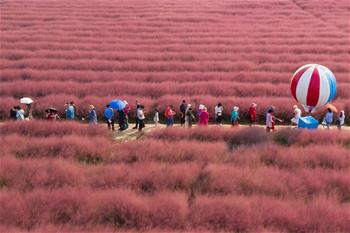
(313, 86)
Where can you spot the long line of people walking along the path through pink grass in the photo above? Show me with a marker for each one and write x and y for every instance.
(187, 115)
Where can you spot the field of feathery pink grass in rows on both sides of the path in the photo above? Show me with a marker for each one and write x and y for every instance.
(70, 177)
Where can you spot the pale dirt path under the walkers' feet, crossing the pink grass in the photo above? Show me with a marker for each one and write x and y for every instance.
(133, 134)
